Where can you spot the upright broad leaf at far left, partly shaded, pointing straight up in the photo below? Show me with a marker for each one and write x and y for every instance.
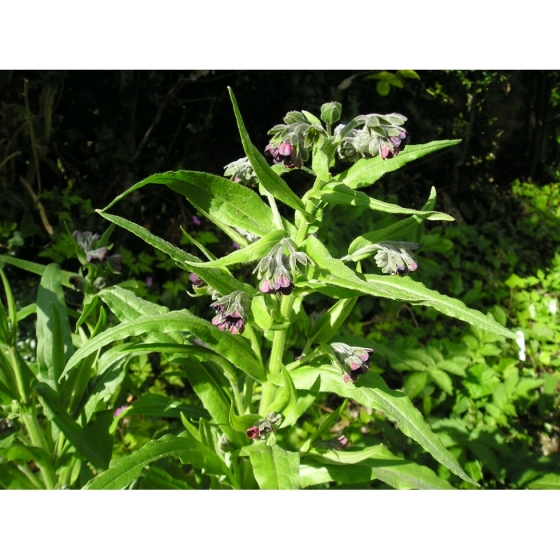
(54, 338)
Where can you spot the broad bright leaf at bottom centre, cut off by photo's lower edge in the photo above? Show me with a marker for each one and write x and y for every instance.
(274, 467)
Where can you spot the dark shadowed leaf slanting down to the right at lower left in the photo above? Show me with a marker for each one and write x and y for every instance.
(77, 436)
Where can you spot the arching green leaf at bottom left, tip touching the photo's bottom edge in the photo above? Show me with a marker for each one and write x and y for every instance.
(185, 447)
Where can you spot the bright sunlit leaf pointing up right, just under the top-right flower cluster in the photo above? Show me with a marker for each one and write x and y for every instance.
(366, 171)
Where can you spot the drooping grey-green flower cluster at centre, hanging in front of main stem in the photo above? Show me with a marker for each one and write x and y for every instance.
(276, 269)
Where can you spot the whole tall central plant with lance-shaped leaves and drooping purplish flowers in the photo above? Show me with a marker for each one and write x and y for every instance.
(240, 364)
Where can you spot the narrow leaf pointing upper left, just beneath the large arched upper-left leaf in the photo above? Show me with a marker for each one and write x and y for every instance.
(218, 279)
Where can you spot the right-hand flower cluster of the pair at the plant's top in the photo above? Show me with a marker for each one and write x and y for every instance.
(381, 134)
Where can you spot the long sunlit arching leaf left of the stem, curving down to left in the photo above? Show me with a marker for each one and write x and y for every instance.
(232, 347)
